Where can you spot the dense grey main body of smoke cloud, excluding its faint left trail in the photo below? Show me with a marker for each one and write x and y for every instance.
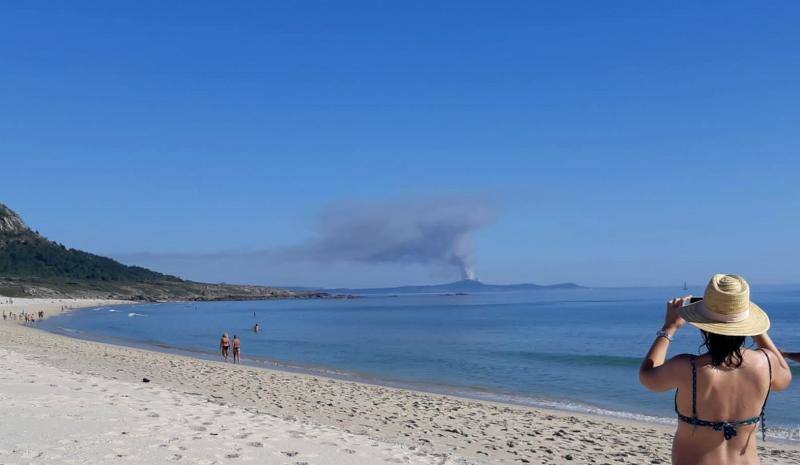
(434, 232)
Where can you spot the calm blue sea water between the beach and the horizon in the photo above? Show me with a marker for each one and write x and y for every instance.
(569, 349)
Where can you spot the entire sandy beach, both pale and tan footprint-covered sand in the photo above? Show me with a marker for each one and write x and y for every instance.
(76, 401)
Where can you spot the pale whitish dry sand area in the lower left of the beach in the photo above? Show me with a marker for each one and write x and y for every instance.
(65, 417)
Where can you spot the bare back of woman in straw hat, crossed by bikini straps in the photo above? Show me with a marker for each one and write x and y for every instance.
(725, 396)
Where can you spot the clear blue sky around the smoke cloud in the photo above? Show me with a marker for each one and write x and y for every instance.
(622, 143)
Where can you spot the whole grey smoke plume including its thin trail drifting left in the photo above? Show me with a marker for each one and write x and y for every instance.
(435, 232)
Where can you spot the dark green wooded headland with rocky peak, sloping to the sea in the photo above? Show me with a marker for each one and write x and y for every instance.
(33, 266)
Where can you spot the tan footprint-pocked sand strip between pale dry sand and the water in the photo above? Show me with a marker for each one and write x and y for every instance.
(458, 428)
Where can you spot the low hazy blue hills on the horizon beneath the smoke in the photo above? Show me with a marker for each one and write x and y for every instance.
(455, 288)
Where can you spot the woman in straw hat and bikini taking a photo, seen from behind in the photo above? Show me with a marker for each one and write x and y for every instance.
(721, 395)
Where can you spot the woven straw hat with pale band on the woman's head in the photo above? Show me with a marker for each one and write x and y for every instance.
(726, 309)
